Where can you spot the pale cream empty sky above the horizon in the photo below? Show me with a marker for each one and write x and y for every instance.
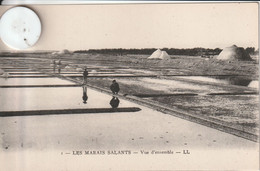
(207, 25)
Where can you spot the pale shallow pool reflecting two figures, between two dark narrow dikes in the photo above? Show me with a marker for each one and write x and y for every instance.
(14, 99)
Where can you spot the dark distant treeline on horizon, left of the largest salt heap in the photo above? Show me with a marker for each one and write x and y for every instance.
(170, 51)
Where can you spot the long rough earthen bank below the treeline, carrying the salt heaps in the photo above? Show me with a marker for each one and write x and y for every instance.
(180, 65)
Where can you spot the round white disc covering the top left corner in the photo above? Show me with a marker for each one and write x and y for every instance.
(20, 28)
